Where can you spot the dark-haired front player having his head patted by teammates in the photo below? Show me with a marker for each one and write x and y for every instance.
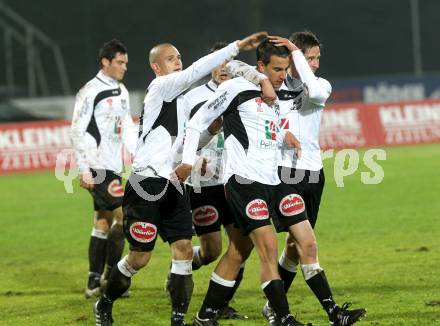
(252, 138)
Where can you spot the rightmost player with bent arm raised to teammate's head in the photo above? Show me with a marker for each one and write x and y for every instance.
(302, 178)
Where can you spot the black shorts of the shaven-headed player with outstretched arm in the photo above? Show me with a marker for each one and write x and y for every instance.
(154, 206)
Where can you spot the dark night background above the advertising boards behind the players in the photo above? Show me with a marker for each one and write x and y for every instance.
(361, 38)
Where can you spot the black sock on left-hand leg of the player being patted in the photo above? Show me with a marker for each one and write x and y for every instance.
(214, 300)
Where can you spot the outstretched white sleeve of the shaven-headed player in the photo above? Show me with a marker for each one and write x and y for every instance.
(173, 84)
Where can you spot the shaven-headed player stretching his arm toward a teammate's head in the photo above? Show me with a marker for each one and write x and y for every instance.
(154, 201)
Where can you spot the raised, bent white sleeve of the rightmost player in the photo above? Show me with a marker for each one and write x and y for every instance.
(316, 92)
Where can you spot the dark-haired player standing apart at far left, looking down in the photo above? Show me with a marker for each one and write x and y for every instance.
(101, 124)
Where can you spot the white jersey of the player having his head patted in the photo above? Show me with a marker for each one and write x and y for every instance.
(251, 131)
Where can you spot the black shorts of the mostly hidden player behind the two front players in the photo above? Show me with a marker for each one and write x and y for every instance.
(210, 209)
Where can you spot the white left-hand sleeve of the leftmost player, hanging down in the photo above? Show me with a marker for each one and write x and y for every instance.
(82, 114)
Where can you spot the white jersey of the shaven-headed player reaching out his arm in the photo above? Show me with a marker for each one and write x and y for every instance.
(163, 116)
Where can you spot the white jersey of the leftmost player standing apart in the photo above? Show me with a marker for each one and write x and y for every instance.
(101, 123)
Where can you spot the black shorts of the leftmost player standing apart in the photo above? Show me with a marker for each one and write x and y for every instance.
(108, 194)
